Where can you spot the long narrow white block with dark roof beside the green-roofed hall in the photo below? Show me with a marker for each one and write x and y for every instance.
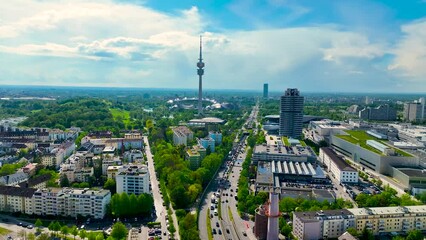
(337, 166)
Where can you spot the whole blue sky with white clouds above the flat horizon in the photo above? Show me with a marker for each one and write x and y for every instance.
(313, 45)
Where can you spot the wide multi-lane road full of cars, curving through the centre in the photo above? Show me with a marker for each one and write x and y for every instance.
(229, 225)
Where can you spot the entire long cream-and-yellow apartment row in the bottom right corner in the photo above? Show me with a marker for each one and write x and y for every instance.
(380, 220)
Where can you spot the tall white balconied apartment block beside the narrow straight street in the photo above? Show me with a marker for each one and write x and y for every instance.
(133, 179)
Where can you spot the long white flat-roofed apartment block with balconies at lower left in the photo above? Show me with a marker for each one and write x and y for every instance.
(71, 202)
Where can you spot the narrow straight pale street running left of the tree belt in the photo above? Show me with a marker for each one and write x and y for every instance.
(158, 199)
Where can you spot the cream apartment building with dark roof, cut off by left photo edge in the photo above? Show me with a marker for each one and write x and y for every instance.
(16, 199)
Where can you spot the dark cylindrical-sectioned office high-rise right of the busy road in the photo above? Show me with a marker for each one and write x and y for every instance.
(291, 113)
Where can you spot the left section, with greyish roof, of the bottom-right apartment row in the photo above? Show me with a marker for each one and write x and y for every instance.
(322, 224)
